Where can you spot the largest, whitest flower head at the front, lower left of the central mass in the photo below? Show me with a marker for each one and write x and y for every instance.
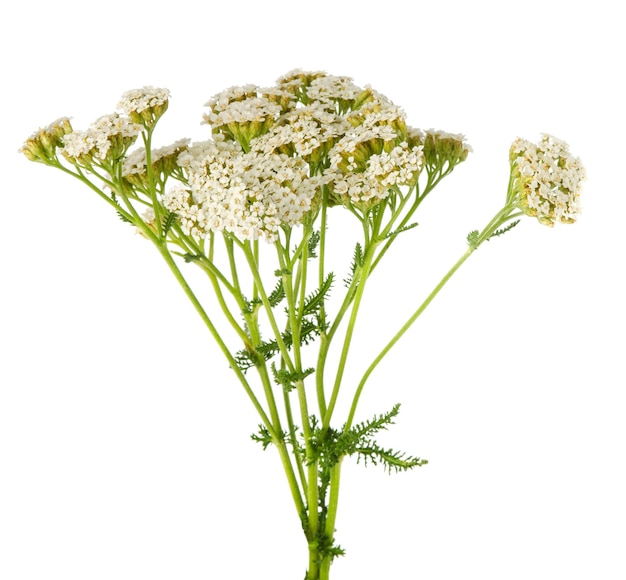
(248, 194)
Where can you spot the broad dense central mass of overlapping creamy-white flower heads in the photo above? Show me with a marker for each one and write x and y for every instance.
(273, 150)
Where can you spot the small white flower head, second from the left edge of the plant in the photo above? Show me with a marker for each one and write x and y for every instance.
(95, 142)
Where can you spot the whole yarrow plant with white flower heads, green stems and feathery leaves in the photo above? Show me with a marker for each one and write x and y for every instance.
(251, 207)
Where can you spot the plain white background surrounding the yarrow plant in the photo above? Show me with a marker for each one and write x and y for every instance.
(124, 440)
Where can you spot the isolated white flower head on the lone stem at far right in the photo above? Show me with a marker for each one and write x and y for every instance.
(548, 179)
